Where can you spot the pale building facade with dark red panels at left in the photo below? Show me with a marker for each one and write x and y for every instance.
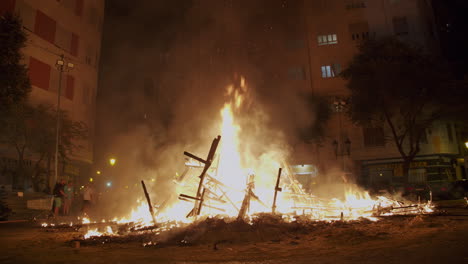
(72, 29)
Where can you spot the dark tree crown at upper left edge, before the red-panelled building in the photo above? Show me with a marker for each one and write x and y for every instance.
(14, 80)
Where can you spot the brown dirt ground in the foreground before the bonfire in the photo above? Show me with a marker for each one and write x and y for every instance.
(441, 238)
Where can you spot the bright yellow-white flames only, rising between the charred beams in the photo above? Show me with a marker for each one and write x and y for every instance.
(244, 173)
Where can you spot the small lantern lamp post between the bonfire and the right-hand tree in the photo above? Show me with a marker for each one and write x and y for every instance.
(342, 146)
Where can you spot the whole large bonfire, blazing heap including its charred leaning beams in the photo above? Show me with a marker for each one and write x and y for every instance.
(239, 187)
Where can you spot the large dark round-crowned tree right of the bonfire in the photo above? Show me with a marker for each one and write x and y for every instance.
(398, 84)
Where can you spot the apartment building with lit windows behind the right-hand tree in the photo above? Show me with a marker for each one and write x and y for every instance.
(335, 29)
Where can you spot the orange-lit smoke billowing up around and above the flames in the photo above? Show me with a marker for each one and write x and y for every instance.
(164, 70)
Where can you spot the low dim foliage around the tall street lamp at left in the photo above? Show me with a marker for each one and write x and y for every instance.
(31, 130)
